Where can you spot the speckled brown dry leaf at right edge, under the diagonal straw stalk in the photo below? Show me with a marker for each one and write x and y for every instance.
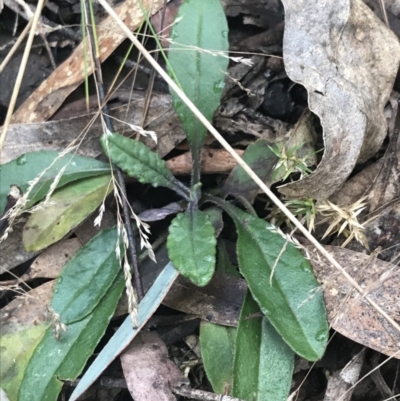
(355, 318)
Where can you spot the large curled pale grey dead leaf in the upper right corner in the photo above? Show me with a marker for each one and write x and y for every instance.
(347, 59)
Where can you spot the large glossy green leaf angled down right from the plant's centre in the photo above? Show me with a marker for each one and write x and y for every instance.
(292, 302)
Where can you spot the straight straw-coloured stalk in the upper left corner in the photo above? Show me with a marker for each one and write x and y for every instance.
(20, 74)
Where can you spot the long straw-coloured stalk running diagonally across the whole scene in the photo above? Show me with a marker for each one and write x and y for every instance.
(244, 165)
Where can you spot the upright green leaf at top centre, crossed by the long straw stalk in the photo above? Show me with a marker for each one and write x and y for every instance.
(200, 74)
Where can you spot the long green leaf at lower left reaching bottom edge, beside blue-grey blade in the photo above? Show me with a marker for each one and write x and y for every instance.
(53, 360)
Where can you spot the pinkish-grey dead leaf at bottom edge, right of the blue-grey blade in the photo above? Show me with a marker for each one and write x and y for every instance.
(149, 373)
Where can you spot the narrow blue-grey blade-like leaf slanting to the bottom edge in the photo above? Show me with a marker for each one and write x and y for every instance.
(126, 332)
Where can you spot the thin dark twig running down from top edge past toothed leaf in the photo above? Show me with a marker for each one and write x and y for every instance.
(120, 178)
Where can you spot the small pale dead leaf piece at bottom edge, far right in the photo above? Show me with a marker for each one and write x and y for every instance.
(340, 384)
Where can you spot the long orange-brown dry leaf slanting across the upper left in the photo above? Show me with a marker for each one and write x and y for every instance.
(50, 95)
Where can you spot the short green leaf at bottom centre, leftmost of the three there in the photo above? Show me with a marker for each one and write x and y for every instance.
(217, 347)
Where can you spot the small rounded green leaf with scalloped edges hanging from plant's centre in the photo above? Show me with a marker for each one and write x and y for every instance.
(191, 246)
